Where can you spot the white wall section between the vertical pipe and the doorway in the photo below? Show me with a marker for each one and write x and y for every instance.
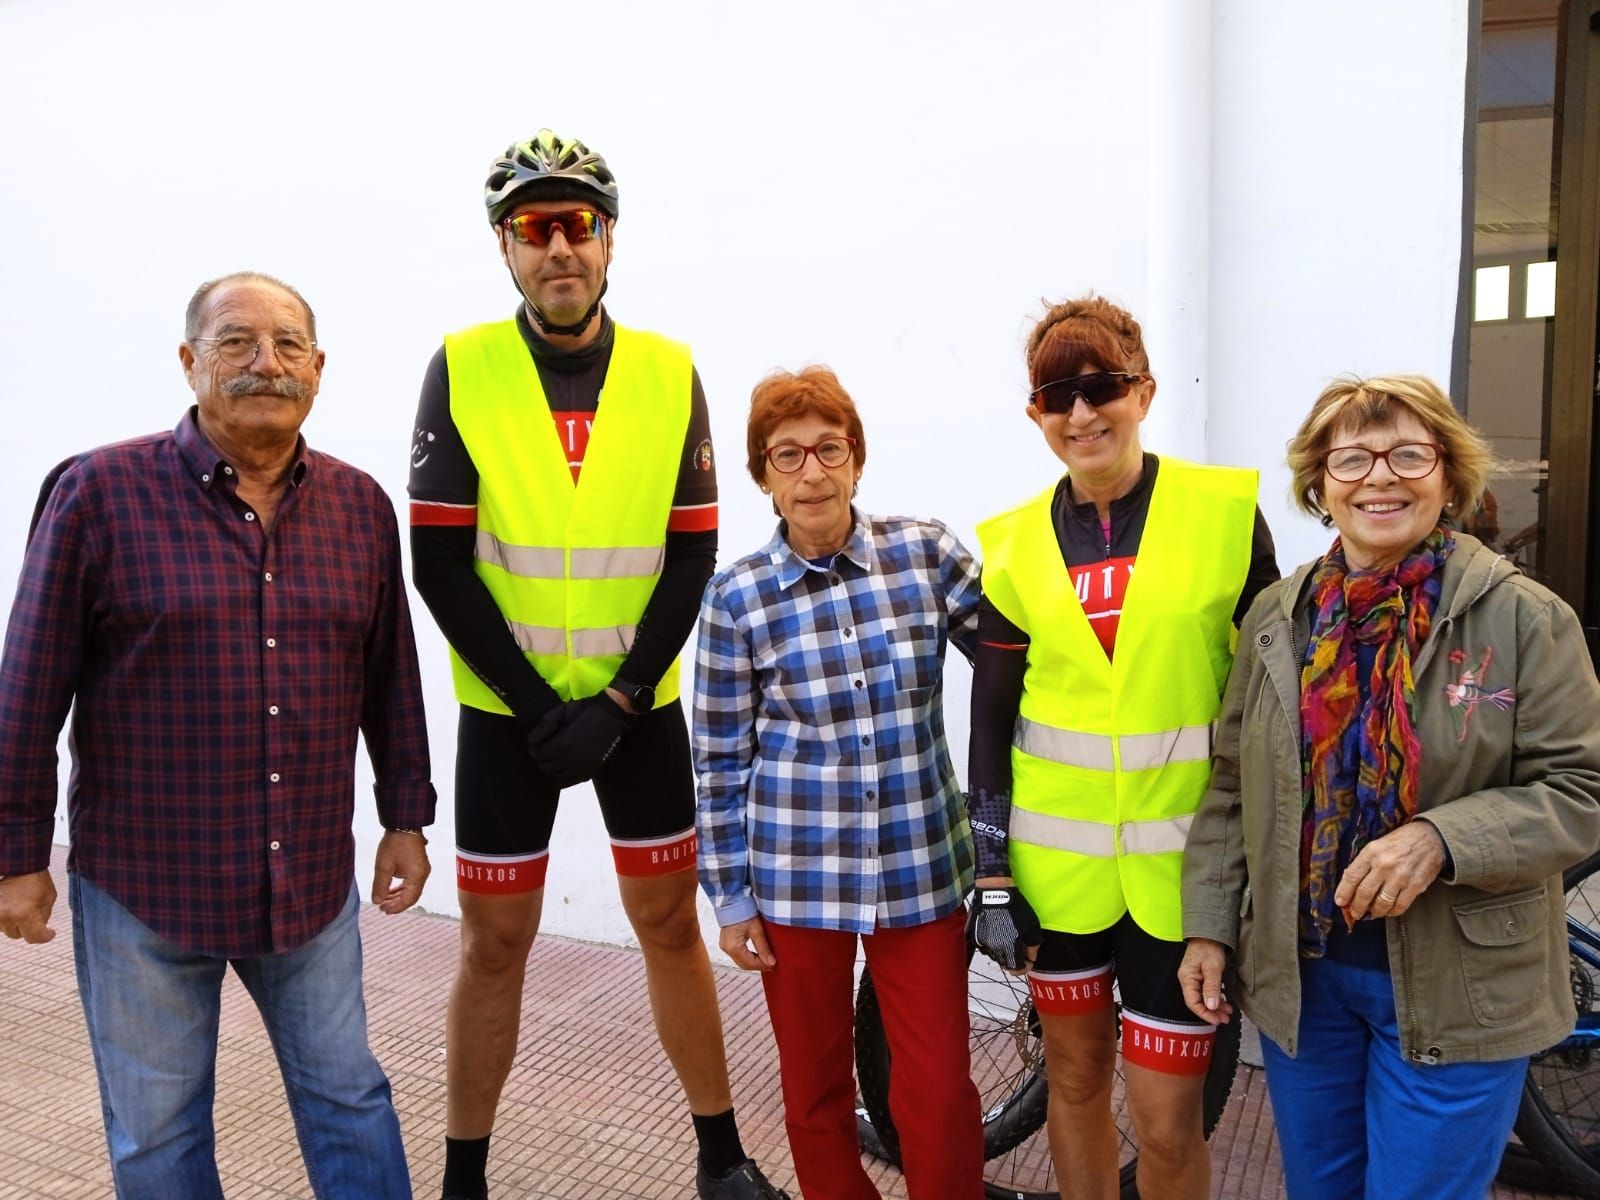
(1335, 215)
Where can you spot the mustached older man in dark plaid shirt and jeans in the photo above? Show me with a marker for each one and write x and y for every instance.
(223, 609)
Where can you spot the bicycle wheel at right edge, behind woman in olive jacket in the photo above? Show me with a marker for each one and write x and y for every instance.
(1559, 1119)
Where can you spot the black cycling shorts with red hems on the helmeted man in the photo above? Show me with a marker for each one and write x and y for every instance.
(506, 807)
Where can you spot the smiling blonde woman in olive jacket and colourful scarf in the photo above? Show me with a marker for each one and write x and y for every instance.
(1409, 758)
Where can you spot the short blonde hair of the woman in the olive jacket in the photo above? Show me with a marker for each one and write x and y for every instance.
(1350, 406)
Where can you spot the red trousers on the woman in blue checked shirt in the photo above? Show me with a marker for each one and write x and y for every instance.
(921, 978)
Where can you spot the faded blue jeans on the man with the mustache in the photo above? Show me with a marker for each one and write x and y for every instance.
(153, 1014)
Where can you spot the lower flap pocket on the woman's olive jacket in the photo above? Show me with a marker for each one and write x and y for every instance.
(1503, 954)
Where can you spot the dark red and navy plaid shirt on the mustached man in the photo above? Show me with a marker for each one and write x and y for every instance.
(220, 674)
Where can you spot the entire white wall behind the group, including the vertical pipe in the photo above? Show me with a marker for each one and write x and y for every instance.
(886, 188)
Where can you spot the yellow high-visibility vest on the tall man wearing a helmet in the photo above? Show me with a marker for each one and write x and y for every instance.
(572, 567)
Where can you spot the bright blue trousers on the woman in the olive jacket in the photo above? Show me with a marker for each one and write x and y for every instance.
(1359, 1122)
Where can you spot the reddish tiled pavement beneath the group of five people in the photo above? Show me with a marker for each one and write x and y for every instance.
(591, 1110)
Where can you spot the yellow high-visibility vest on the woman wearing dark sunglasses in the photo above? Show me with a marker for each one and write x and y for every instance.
(1111, 758)
